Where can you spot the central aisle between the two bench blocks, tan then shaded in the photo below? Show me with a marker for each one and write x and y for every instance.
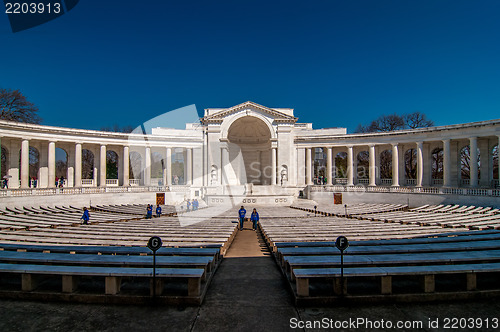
(248, 292)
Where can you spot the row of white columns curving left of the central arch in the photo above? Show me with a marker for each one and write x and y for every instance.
(18, 164)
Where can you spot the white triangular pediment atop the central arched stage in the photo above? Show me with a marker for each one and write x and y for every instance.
(219, 115)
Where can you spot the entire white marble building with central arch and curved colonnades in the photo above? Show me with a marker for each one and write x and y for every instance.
(251, 154)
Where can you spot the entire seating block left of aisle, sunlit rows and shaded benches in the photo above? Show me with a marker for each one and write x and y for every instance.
(112, 256)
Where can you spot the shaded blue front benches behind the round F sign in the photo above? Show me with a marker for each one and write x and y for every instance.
(436, 266)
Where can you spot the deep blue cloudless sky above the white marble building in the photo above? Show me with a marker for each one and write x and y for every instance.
(337, 63)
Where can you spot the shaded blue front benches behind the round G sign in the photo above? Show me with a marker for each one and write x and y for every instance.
(180, 272)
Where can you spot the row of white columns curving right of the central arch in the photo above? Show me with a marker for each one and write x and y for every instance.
(451, 166)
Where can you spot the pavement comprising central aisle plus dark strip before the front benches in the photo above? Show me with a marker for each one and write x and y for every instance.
(247, 293)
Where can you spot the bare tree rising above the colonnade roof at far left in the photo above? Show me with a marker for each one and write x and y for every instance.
(15, 107)
